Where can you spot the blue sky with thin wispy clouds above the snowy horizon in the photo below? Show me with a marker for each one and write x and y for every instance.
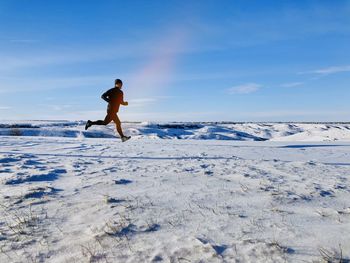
(179, 60)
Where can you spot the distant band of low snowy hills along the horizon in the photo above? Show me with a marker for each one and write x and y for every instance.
(186, 130)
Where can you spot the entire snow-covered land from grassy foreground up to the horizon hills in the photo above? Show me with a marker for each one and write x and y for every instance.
(75, 198)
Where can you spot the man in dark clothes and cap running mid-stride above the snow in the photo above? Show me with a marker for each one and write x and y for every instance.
(114, 97)
